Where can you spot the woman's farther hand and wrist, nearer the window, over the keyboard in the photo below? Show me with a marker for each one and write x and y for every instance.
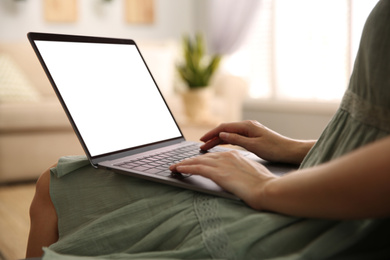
(259, 140)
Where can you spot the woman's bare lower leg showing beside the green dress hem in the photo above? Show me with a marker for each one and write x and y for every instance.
(43, 218)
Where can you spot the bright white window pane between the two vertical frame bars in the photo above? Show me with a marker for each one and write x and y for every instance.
(311, 49)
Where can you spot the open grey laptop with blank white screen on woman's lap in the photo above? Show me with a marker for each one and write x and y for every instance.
(117, 110)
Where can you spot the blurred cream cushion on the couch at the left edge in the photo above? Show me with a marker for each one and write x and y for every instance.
(14, 85)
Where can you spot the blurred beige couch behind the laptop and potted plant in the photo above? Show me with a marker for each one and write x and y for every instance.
(34, 130)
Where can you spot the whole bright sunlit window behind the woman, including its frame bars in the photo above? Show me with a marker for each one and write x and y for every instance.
(302, 49)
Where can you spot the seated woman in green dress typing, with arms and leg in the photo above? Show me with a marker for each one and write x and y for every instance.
(335, 206)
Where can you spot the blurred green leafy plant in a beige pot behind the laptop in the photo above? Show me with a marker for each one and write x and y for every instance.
(197, 71)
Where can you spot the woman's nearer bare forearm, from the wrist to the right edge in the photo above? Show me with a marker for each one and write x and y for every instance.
(353, 186)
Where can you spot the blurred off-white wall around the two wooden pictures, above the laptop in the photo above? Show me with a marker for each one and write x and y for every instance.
(97, 17)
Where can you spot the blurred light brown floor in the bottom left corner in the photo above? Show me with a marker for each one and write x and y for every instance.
(15, 201)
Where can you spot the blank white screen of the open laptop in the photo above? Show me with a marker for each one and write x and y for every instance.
(109, 93)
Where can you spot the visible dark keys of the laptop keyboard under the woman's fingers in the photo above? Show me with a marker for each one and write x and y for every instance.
(159, 163)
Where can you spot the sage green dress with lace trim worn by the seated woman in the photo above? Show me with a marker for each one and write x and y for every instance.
(106, 215)
